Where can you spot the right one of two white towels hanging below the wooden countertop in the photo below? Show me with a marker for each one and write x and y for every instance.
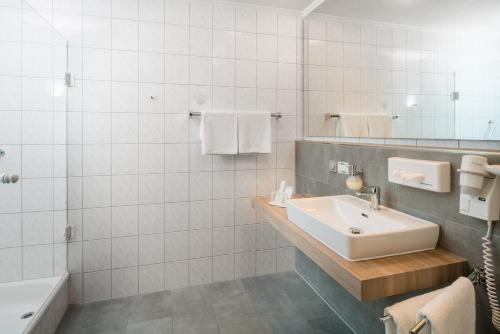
(453, 311)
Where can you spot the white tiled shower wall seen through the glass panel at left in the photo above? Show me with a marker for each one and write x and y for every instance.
(33, 134)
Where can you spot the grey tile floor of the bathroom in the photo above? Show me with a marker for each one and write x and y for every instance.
(278, 303)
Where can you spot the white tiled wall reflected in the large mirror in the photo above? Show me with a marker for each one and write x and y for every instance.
(365, 67)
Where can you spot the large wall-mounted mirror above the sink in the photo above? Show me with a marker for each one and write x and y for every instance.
(403, 69)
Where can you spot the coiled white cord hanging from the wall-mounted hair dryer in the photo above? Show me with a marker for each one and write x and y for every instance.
(489, 270)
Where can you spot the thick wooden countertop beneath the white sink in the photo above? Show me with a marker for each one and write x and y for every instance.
(369, 279)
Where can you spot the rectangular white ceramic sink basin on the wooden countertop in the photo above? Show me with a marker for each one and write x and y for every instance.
(348, 226)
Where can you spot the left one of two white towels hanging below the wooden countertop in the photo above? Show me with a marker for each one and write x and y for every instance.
(404, 313)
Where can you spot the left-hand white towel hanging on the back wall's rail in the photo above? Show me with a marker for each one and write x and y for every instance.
(219, 132)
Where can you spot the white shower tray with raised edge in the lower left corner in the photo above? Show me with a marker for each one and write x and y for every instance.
(45, 297)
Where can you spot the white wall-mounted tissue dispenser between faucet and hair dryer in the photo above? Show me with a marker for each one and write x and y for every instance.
(423, 174)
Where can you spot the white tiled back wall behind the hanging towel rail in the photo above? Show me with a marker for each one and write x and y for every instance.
(150, 211)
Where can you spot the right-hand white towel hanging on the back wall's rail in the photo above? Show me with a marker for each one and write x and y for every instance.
(254, 132)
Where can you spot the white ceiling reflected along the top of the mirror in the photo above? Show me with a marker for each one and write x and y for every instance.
(463, 15)
